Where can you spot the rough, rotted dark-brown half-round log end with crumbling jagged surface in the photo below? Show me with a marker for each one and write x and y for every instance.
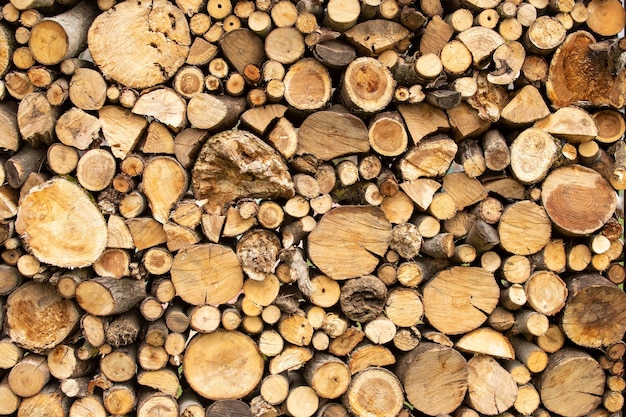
(236, 164)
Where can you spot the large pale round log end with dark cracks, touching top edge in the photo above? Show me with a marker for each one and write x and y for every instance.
(140, 43)
